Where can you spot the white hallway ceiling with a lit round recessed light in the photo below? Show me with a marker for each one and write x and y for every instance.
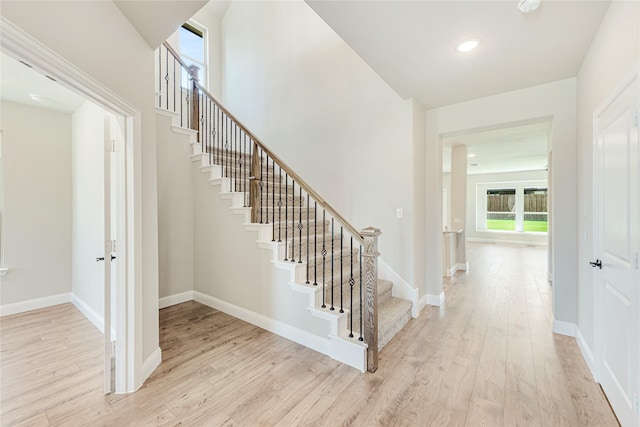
(412, 44)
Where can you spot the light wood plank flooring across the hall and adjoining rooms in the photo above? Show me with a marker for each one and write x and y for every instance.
(487, 357)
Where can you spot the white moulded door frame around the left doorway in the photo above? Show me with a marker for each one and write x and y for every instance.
(127, 159)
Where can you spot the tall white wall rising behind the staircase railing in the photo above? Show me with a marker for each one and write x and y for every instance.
(300, 88)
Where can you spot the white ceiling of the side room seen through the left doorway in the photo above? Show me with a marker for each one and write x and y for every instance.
(18, 81)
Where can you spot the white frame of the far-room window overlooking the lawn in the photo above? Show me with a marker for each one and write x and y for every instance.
(519, 186)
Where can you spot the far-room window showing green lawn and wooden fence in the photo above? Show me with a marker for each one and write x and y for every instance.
(512, 207)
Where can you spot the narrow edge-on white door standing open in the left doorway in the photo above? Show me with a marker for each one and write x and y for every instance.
(109, 258)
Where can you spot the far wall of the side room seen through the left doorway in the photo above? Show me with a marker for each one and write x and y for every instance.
(37, 203)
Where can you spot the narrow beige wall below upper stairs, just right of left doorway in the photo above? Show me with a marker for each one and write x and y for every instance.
(175, 210)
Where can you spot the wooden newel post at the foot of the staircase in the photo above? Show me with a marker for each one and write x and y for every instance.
(370, 307)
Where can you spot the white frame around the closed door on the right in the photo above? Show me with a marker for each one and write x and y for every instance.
(632, 74)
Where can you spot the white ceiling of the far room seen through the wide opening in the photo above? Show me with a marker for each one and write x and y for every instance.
(512, 149)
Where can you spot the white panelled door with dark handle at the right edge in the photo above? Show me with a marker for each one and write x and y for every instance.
(616, 240)
